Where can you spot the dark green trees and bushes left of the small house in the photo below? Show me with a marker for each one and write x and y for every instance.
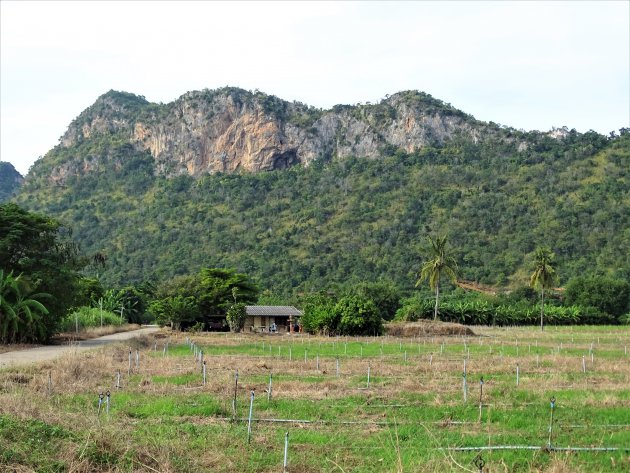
(45, 287)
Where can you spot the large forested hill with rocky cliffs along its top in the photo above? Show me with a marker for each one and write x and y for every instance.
(304, 198)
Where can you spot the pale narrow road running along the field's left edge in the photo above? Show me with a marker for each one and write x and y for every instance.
(36, 355)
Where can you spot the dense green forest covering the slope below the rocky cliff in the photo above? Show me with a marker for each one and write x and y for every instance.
(352, 220)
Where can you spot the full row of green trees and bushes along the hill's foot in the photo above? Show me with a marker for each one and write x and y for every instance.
(44, 287)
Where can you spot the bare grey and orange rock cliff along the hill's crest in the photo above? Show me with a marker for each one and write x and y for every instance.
(230, 130)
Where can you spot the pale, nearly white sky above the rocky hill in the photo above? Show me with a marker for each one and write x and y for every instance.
(529, 65)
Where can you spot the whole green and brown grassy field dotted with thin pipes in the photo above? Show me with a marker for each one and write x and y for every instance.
(165, 419)
